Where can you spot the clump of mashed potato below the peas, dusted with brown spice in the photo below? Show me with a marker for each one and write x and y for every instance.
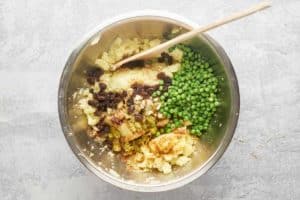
(163, 152)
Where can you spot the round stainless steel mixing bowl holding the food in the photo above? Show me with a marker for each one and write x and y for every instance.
(94, 157)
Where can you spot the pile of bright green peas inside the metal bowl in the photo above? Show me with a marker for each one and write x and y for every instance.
(192, 96)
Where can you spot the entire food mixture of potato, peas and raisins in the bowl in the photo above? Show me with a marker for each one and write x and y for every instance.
(151, 113)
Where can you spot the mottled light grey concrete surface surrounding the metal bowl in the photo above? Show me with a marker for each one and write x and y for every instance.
(263, 160)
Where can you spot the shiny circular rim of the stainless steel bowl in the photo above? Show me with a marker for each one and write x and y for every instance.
(173, 184)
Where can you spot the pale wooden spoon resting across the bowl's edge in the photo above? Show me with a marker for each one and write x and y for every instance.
(154, 51)
